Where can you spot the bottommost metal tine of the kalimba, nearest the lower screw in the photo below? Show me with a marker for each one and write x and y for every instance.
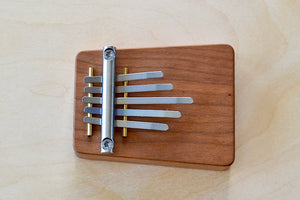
(130, 124)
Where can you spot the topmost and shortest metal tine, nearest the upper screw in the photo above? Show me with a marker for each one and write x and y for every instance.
(126, 77)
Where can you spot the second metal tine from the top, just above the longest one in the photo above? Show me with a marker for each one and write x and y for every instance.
(133, 88)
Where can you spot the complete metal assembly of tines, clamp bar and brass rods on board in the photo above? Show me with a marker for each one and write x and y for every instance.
(108, 101)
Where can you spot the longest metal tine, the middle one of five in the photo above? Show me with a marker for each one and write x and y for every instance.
(142, 100)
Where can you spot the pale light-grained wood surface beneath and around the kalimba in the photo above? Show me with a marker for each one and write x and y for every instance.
(39, 41)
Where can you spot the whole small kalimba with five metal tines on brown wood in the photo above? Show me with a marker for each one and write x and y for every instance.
(169, 106)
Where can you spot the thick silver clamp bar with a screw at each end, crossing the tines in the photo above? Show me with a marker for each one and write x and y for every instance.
(107, 128)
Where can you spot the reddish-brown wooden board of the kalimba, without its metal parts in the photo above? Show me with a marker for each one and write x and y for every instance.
(203, 137)
